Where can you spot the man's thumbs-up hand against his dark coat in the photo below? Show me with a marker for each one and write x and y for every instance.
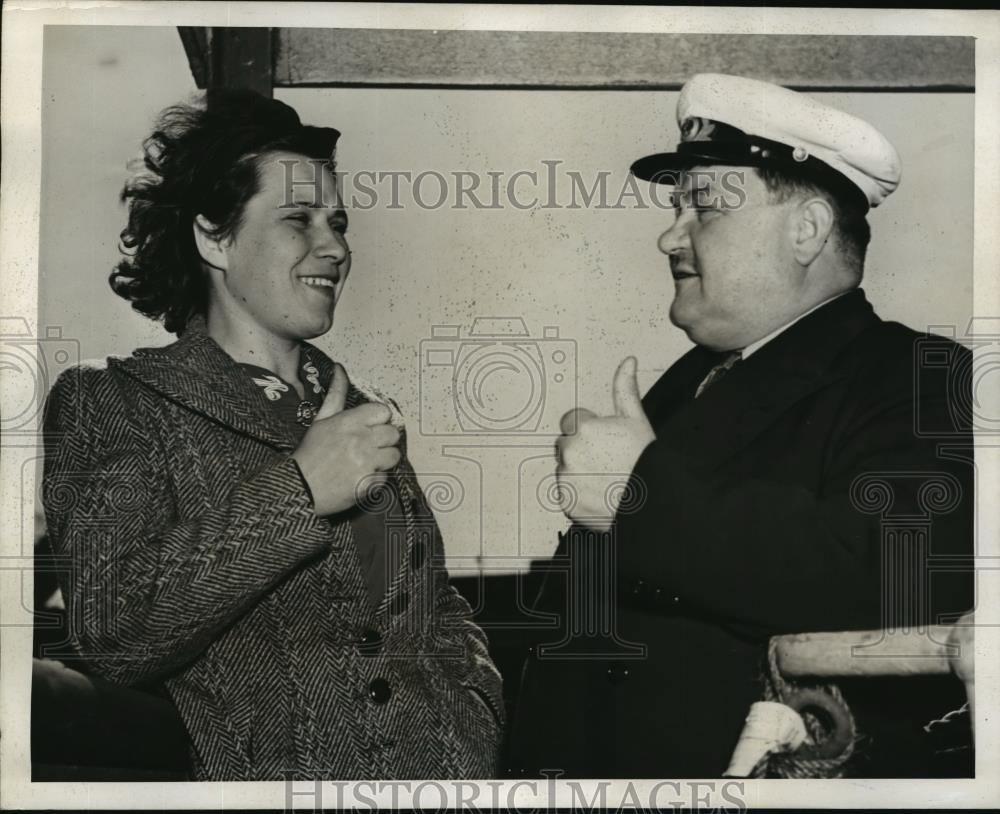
(596, 455)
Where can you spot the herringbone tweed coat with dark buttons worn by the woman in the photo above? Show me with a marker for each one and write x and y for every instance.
(198, 563)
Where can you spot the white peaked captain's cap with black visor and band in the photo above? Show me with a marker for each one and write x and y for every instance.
(737, 121)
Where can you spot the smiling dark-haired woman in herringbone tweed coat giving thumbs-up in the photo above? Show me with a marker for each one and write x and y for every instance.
(243, 524)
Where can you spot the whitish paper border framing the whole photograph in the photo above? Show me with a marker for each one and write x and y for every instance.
(20, 97)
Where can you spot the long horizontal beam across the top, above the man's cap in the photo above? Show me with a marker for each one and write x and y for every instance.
(539, 59)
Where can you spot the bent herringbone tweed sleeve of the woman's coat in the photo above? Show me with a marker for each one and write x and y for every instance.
(146, 591)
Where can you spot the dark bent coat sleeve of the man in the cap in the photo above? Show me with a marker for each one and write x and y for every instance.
(774, 556)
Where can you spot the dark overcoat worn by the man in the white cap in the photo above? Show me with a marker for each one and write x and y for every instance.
(825, 483)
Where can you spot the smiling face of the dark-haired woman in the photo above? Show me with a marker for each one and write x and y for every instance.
(287, 264)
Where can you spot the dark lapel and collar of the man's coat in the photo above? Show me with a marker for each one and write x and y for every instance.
(757, 391)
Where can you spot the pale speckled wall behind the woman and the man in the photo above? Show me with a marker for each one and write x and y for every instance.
(596, 276)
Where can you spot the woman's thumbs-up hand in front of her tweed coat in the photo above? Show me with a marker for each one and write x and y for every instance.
(346, 453)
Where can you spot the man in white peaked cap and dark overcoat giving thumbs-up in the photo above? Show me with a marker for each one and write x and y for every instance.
(761, 470)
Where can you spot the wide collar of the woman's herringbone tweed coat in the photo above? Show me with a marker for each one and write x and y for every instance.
(196, 373)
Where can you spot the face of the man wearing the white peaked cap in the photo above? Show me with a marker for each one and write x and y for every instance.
(735, 279)
